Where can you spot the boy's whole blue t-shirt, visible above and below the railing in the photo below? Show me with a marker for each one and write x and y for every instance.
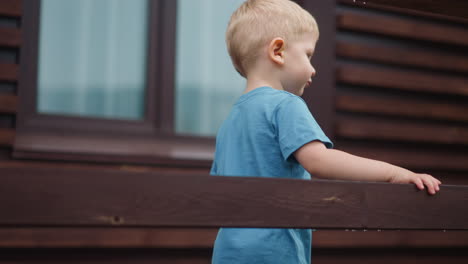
(263, 130)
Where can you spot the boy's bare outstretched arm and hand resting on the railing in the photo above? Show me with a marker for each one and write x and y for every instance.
(338, 165)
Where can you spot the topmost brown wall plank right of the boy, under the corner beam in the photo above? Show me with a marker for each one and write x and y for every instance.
(399, 27)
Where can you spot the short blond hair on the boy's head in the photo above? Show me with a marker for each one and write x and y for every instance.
(256, 22)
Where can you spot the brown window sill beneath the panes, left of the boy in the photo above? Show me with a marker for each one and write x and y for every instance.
(163, 151)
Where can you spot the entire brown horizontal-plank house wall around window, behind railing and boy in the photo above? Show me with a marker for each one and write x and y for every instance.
(401, 96)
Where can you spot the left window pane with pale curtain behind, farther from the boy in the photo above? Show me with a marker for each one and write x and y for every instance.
(92, 58)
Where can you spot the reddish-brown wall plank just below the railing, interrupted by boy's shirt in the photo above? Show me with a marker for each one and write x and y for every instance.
(66, 237)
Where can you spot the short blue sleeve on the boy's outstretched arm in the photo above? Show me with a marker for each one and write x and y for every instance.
(295, 126)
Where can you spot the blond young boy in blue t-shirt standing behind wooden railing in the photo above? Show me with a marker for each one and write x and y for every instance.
(271, 133)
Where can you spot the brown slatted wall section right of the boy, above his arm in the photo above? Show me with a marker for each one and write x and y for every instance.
(402, 89)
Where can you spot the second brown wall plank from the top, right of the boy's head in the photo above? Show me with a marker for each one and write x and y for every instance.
(402, 56)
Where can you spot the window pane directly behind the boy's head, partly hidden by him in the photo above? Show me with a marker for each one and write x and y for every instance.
(206, 82)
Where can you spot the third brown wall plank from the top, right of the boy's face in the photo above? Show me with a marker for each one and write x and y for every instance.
(403, 80)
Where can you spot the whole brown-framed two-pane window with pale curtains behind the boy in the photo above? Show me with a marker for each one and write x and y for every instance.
(136, 81)
